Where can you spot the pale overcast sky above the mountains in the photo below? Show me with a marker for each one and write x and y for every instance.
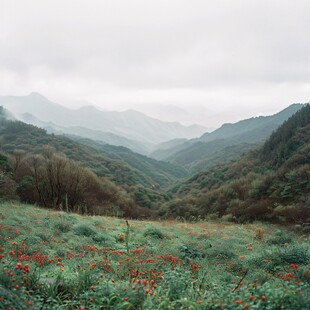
(195, 61)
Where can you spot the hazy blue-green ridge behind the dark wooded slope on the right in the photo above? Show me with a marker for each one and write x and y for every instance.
(225, 143)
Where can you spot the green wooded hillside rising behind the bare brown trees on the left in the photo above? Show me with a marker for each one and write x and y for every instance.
(139, 176)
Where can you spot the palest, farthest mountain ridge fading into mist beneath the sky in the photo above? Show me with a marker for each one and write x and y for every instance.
(130, 124)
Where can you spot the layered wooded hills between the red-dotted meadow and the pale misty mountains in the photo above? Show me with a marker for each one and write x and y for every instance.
(268, 179)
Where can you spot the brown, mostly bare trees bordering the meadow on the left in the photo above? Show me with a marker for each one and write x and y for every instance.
(53, 181)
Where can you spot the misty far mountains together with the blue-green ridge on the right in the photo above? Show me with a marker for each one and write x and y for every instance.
(189, 147)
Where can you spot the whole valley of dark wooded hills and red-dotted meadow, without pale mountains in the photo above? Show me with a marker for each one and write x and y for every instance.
(223, 223)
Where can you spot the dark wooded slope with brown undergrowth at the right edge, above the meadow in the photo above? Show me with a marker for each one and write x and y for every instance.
(269, 183)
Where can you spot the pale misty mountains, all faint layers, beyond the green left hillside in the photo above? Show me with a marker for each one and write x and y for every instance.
(107, 126)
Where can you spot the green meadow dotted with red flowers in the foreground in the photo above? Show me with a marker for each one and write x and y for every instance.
(54, 260)
